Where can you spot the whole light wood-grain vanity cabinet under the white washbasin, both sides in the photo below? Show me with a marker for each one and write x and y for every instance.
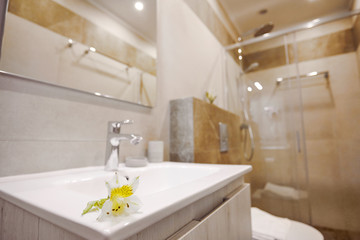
(223, 214)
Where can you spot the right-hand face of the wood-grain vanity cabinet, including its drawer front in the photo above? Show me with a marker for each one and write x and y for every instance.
(224, 214)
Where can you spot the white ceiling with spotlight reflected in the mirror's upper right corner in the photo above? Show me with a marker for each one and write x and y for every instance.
(142, 22)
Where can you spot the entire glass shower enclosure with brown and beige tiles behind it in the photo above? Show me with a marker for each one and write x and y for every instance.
(300, 94)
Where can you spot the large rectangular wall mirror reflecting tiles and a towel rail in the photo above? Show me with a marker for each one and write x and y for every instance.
(87, 45)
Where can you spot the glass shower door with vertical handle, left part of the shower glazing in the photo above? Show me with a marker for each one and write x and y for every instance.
(274, 107)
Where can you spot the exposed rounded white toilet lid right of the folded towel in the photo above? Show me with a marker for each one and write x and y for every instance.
(301, 231)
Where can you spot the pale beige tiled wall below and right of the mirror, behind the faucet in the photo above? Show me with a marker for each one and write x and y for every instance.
(44, 128)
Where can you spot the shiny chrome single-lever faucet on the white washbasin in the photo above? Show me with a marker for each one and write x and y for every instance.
(113, 143)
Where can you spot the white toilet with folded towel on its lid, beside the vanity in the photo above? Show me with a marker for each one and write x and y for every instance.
(269, 227)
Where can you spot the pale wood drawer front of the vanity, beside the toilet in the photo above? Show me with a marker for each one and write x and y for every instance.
(231, 220)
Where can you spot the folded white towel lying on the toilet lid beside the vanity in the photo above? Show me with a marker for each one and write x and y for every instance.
(268, 227)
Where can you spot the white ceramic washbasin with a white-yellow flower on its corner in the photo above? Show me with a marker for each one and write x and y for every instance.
(164, 188)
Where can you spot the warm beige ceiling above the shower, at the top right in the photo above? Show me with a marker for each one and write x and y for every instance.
(245, 14)
